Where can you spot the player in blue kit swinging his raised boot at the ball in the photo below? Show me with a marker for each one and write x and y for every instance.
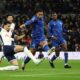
(38, 37)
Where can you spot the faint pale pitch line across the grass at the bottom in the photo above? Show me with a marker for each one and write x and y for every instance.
(46, 75)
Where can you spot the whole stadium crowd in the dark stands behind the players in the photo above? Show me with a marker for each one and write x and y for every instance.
(22, 10)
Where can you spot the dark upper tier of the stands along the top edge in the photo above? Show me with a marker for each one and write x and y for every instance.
(27, 6)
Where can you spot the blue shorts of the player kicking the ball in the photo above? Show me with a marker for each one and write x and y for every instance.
(36, 41)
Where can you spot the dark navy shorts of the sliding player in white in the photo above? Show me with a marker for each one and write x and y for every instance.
(9, 52)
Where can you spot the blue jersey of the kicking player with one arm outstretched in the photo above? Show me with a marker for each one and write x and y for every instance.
(38, 28)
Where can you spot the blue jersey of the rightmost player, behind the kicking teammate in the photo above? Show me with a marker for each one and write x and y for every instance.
(56, 28)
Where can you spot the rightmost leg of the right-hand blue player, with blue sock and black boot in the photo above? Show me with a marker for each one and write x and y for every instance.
(64, 46)
